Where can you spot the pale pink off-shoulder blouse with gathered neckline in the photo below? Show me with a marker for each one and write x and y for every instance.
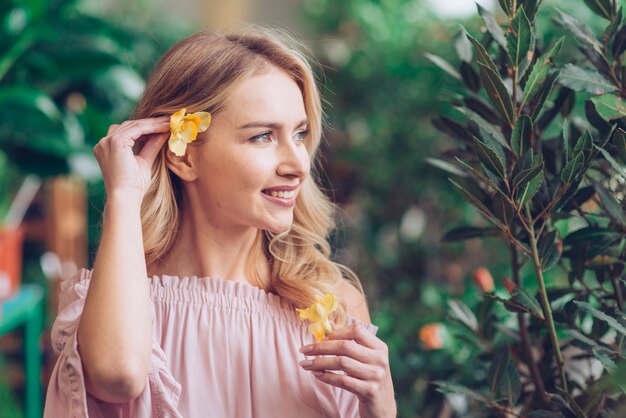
(220, 349)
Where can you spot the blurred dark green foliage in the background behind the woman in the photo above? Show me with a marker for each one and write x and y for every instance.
(69, 69)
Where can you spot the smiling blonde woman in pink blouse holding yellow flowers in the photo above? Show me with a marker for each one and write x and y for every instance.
(229, 226)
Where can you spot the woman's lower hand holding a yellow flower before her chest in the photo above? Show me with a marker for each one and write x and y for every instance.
(364, 360)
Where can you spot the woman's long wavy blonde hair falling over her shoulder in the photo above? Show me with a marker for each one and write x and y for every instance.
(199, 73)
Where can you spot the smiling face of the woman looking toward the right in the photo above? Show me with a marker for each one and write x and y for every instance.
(253, 159)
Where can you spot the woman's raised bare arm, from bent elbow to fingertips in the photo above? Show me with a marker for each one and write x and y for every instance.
(115, 329)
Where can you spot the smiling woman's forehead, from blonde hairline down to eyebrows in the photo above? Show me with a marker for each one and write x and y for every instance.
(269, 96)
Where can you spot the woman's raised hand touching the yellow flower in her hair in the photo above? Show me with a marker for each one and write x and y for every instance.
(122, 170)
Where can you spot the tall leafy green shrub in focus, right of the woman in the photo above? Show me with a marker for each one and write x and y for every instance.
(549, 177)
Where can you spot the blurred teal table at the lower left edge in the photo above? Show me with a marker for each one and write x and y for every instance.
(25, 309)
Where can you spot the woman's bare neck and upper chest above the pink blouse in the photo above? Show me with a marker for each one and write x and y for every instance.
(202, 248)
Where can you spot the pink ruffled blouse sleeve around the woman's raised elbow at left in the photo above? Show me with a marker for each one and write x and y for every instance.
(67, 395)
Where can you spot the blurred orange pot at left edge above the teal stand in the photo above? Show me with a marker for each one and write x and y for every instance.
(11, 240)
